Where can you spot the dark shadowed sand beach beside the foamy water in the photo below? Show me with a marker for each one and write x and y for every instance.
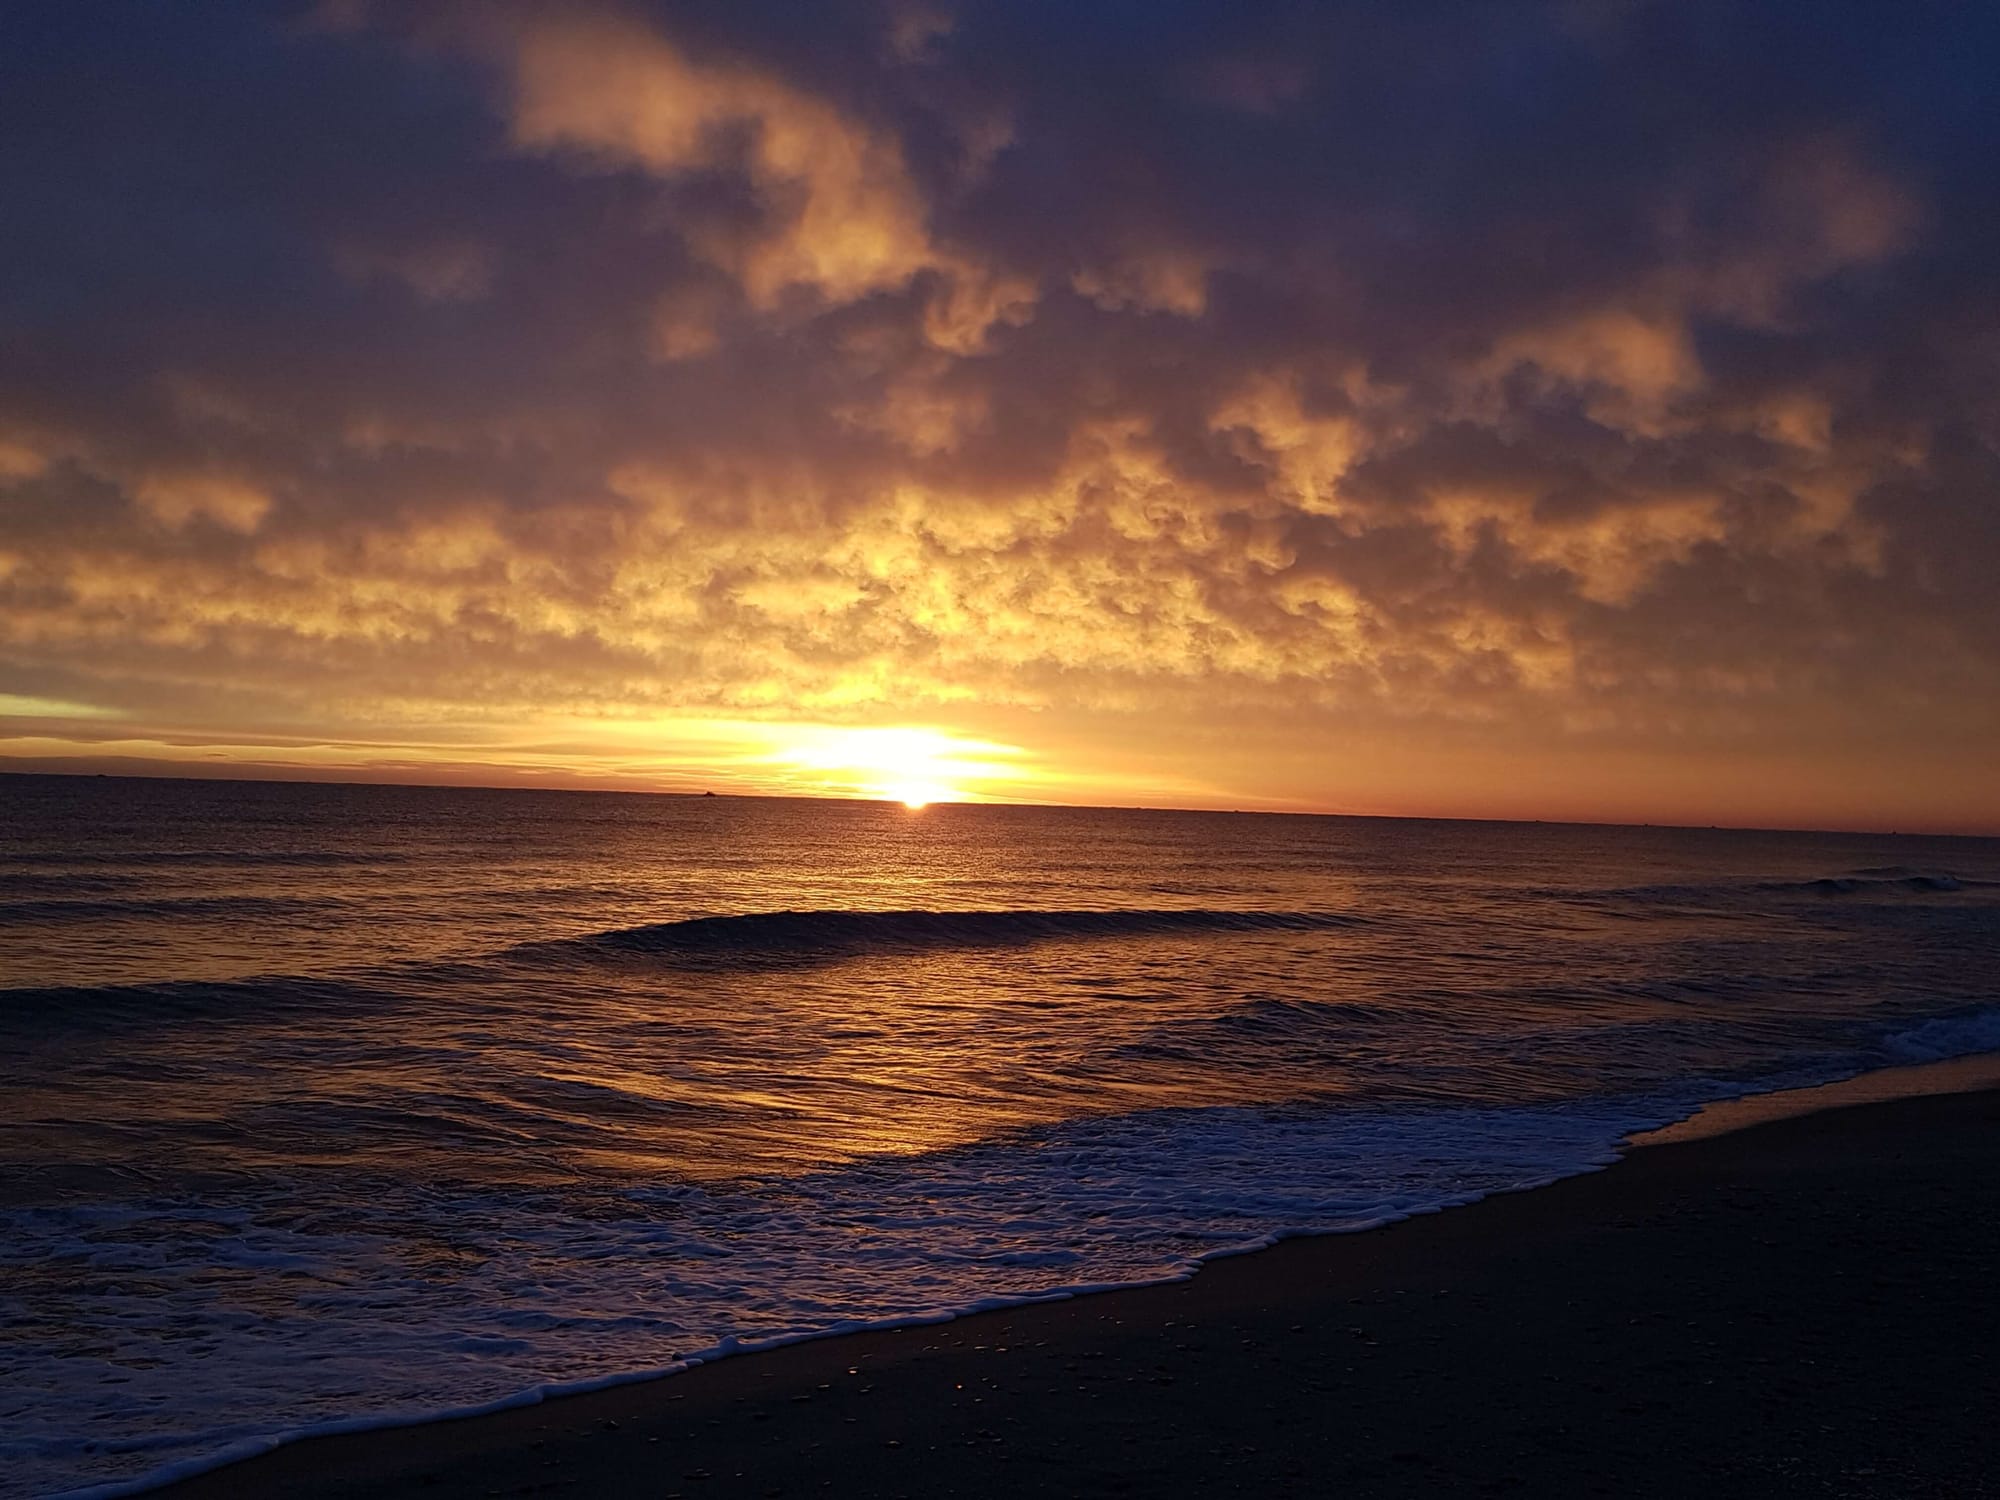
(1803, 1309)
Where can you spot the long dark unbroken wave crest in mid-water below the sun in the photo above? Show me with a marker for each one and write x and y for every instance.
(825, 937)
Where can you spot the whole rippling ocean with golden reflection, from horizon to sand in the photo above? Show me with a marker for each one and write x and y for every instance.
(345, 1105)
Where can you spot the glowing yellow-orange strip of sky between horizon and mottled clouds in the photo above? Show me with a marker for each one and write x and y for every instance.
(1231, 769)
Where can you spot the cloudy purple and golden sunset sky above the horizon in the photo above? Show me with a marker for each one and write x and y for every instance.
(1575, 409)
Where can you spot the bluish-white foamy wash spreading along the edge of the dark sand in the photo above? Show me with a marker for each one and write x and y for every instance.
(901, 1243)
